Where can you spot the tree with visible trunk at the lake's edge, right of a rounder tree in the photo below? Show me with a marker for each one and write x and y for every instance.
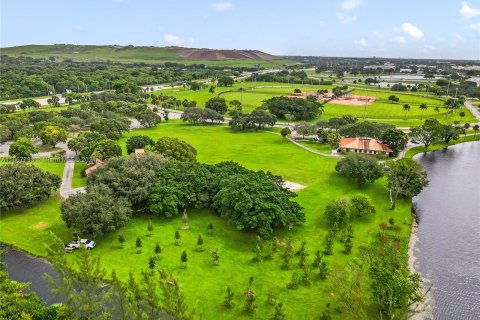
(405, 178)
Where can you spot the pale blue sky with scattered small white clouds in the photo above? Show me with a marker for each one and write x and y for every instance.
(348, 28)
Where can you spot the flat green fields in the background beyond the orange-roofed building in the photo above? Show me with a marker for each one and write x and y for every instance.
(380, 110)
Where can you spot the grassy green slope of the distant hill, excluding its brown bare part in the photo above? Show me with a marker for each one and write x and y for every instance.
(130, 54)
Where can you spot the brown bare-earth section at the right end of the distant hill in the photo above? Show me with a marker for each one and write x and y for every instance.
(213, 54)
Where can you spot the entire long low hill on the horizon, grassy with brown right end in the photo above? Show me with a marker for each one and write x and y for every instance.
(145, 54)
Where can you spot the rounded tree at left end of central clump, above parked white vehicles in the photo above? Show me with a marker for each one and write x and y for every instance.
(96, 212)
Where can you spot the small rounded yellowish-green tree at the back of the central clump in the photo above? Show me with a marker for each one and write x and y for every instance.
(176, 149)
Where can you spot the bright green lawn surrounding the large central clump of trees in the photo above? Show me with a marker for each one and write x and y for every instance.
(203, 283)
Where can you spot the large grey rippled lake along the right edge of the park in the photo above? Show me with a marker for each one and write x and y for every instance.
(447, 253)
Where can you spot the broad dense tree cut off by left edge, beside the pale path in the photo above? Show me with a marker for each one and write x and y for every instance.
(23, 185)
